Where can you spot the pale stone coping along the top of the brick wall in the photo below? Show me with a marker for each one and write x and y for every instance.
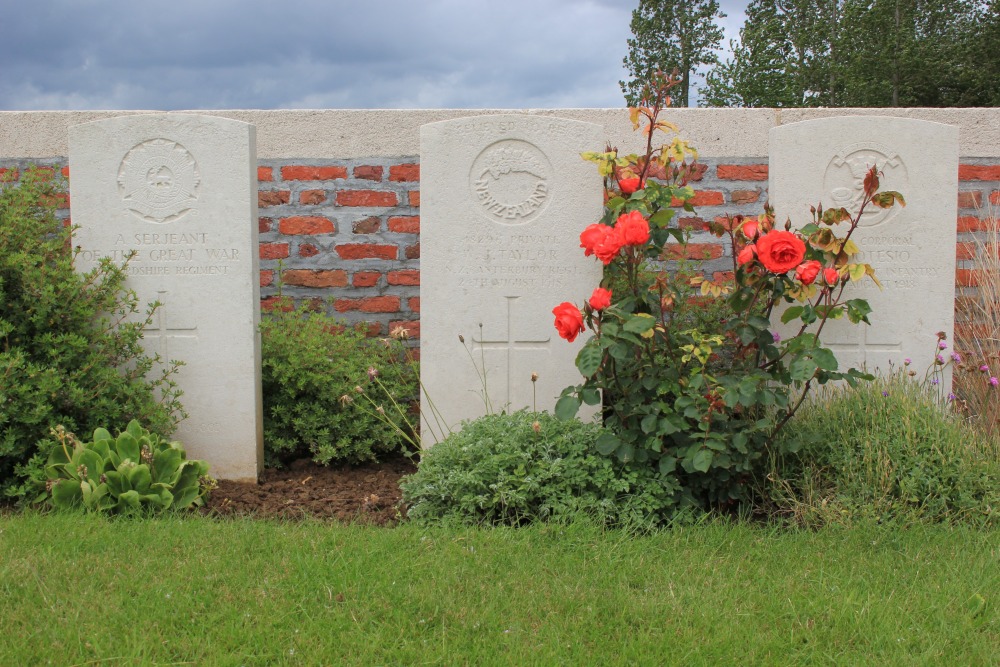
(371, 133)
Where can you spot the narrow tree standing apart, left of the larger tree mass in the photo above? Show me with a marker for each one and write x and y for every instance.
(668, 35)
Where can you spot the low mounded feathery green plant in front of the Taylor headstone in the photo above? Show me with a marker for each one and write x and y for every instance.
(522, 467)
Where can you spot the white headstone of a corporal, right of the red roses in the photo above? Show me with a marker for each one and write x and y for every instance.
(911, 248)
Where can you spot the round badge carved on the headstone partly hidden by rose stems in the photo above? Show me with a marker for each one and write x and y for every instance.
(844, 180)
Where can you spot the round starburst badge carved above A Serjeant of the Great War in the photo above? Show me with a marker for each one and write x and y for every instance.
(159, 181)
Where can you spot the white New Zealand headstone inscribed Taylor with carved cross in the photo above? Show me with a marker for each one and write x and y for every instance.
(503, 201)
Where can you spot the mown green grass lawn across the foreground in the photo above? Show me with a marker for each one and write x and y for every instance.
(86, 590)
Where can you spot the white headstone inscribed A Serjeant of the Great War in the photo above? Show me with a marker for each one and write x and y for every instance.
(181, 191)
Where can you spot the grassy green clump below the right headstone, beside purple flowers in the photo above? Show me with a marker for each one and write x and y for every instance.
(886, 449)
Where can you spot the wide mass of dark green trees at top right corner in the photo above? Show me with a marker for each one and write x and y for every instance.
(863, 53)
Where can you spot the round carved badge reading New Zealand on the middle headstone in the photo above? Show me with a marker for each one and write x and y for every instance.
(510, 182)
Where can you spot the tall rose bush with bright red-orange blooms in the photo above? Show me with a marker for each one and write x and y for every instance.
(691, 374)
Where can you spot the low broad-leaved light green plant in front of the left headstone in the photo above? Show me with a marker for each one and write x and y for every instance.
(136, 472)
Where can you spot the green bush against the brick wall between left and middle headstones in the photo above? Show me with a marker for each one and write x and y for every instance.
(314, 369)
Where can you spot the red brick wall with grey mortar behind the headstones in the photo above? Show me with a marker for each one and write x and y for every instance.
(348, 231)
